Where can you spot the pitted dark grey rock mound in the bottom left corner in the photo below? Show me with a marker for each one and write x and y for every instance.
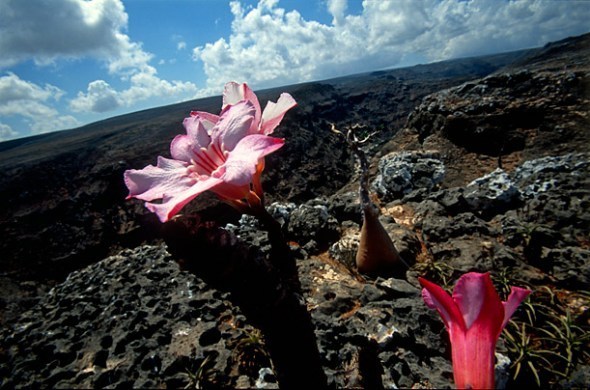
(134, 320)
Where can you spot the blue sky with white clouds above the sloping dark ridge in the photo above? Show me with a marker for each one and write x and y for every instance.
(66, 63)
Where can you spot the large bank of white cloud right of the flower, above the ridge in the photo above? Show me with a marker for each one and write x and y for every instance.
(270, 46)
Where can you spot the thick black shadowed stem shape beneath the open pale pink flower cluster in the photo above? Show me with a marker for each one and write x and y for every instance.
(270, 296)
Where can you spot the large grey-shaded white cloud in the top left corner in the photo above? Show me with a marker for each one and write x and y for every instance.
(45, 30)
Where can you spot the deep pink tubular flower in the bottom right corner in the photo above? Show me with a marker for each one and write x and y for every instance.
(474, 318)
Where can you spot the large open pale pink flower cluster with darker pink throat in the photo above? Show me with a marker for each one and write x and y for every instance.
(223, 154)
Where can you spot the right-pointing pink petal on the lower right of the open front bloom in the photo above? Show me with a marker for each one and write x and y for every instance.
(242, 161)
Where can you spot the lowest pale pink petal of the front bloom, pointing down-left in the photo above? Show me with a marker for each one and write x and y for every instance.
(173, 202)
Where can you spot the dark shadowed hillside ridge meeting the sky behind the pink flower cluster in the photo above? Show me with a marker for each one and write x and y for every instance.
(62, 197)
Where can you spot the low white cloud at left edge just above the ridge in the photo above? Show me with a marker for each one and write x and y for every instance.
(20, 98)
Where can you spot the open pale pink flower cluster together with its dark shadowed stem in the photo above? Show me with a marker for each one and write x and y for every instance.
(224, 154)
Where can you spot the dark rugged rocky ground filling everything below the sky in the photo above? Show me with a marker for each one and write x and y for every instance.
(488, 172)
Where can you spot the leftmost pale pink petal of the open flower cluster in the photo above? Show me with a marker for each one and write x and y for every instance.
(153, 182)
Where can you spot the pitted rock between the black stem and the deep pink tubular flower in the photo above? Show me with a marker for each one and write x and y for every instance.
(352, 314)
